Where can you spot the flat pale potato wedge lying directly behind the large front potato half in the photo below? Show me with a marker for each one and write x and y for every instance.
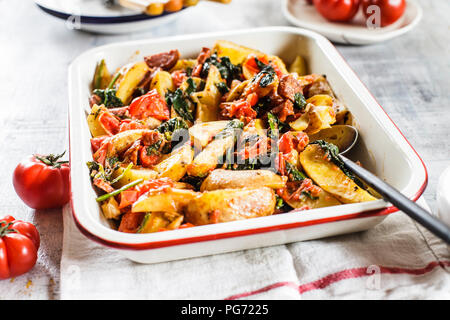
(234, 179)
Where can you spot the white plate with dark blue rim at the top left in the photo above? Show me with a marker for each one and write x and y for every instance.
(93, 16)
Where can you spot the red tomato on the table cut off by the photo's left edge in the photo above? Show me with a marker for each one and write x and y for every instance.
(19, 242)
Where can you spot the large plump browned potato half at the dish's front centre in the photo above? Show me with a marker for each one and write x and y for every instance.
(230, 205)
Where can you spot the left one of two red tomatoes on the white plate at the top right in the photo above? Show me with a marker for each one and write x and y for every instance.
(337, 10)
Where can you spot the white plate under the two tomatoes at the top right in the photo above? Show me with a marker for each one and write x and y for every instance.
(299, 13)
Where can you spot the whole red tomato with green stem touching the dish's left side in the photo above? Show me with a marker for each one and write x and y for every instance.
(42, 182)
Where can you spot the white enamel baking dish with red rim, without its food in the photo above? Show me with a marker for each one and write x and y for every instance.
(382, 149)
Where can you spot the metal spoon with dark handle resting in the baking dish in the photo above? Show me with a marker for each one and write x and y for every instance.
(344, 137)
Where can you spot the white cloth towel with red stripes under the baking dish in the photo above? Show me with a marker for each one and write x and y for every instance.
(397, 259)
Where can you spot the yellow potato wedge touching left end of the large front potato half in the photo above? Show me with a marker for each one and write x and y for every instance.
(165, 200)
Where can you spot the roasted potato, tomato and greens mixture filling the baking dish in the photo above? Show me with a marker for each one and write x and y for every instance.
(227, 135)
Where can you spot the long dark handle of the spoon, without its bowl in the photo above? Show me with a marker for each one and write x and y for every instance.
(436, 226)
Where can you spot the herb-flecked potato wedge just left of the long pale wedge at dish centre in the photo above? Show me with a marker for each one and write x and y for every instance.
(174, 167)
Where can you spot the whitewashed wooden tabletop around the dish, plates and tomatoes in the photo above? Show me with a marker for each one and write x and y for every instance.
(409, 76)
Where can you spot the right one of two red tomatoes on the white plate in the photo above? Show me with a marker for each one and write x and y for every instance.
(390, 10)
